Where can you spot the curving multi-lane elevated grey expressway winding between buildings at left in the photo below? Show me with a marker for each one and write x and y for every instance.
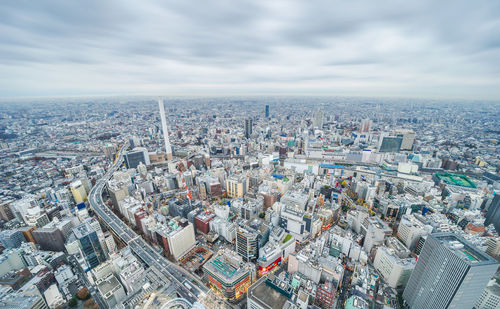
(178, 276)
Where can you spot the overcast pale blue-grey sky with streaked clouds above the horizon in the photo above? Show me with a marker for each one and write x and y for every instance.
(438, 49)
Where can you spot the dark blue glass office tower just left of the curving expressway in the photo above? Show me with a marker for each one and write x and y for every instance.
(89, 244)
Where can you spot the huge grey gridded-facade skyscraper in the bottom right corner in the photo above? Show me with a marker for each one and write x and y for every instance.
(450, 273)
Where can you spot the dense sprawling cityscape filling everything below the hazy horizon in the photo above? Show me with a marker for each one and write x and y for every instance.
(252, 202)
